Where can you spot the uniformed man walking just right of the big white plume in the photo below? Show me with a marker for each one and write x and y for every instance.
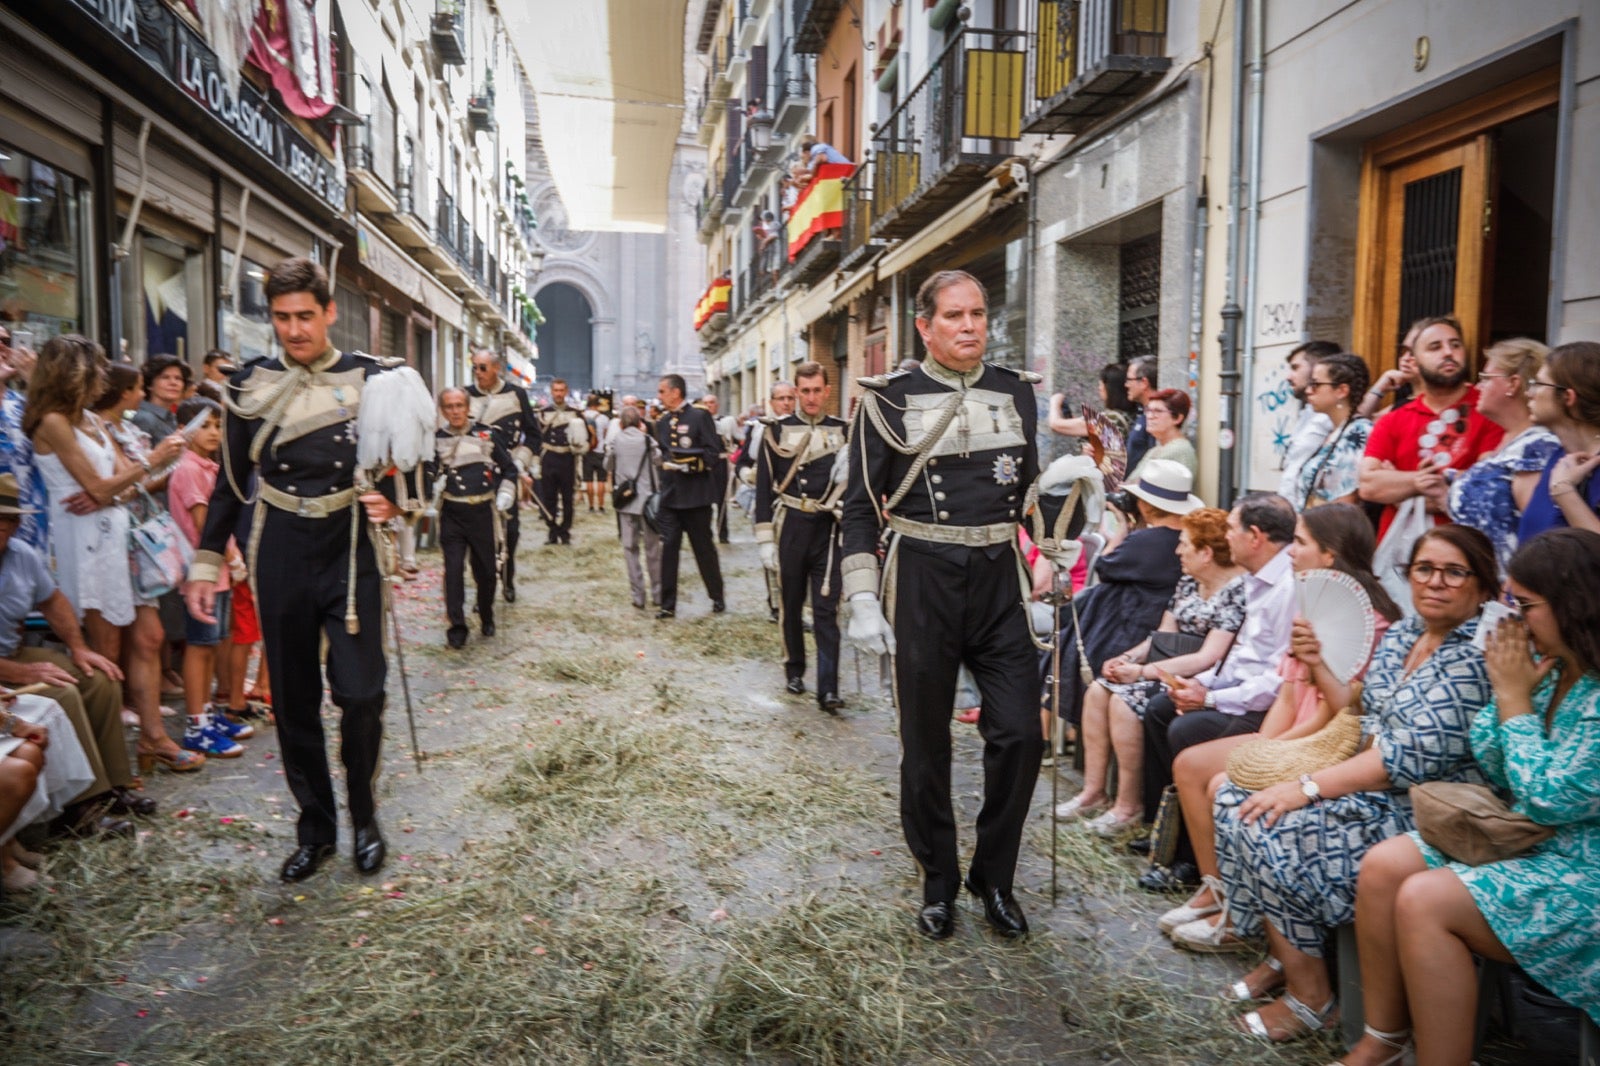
(474, 478)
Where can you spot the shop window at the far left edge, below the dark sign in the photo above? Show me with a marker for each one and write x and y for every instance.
(44, 247)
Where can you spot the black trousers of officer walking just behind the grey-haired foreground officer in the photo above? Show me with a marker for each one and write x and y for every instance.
(807, 559)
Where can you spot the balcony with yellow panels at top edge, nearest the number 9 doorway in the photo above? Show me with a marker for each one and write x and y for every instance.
(1090, 58)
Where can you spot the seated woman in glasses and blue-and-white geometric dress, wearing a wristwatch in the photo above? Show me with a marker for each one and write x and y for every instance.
(1289, 854)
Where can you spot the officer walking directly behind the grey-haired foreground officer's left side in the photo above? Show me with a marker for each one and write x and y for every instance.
(798, 527)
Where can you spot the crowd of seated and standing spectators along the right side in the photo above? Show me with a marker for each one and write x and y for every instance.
(1191, 643)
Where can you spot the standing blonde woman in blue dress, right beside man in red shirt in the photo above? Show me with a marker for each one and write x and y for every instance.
(1492, 494)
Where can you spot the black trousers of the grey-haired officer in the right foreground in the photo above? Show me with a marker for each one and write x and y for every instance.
(953, 606)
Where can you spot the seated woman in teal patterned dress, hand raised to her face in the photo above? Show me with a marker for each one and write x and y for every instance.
(1423, 916)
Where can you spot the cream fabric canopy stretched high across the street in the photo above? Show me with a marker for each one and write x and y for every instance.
(609, 79)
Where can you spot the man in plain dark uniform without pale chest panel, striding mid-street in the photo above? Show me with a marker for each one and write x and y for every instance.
(689, 444)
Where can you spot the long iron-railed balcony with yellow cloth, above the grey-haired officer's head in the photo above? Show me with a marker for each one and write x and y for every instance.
(961, 121)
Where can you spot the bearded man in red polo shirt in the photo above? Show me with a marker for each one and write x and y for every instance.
(1418, 447)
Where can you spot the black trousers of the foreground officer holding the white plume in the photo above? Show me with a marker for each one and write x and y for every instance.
(302, 579)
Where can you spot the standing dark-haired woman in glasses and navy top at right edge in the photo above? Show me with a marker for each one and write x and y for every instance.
(1566, 399)
